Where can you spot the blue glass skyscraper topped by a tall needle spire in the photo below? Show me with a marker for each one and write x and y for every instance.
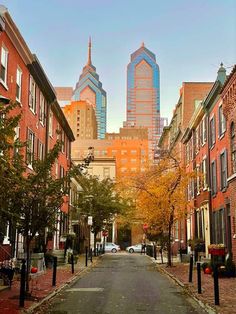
(89, 88)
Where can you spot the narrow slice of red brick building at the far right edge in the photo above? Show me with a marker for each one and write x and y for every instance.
(228, 95)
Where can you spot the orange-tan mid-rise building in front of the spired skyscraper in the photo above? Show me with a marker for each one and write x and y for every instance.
(82, 120)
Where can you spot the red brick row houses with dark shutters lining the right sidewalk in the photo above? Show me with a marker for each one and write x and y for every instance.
(208, 147)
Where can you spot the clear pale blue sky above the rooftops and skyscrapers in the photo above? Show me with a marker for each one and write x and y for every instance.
(189, 38)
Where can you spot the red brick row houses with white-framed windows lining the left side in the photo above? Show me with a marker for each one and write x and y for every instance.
(22, 79)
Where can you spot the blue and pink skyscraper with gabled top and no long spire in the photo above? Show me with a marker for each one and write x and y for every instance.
(143, 95)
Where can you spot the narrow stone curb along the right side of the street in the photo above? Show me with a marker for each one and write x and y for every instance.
(205, 306)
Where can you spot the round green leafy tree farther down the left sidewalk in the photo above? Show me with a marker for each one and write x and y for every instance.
(100, 200)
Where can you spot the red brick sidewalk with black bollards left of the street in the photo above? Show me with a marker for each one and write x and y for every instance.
(40, 287)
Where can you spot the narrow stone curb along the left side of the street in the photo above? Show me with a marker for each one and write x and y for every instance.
(33, 307)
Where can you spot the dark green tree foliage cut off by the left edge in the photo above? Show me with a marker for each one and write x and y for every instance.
(12, 166)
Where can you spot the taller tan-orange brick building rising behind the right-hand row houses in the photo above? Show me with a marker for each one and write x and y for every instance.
(191, 95)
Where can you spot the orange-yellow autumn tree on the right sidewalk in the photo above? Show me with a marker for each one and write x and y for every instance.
(161, 196)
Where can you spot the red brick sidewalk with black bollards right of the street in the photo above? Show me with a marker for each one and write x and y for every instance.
(227, 287)
